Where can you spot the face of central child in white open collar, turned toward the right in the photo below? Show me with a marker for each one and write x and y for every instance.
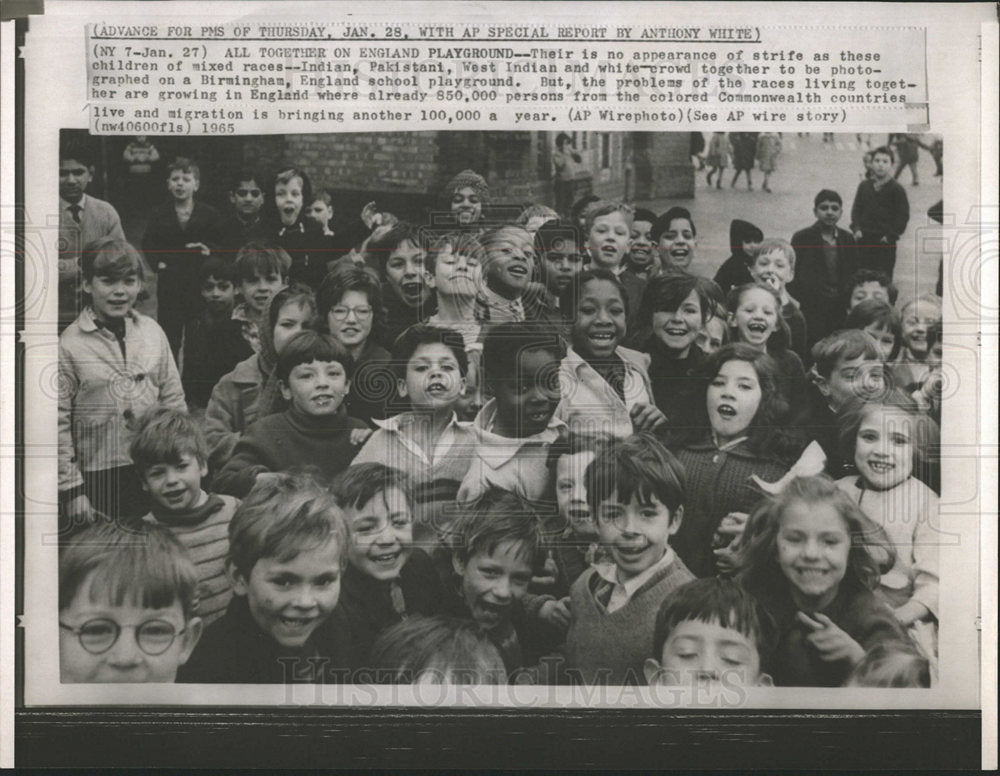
(527, 400)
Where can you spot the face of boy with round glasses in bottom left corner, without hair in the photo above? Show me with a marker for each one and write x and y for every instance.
(124, 660)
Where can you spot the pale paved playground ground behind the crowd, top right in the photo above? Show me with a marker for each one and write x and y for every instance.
(805, 166)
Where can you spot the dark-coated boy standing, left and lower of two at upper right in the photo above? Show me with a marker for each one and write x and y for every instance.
(825, 260)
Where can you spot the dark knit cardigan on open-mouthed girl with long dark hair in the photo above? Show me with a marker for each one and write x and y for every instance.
(717, 483)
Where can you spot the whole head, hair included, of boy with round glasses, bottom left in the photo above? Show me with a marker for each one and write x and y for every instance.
(126, 606)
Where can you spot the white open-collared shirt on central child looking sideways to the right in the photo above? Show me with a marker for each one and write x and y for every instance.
(519, 465)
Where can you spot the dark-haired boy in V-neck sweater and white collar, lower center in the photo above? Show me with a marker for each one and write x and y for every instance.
(636, 493)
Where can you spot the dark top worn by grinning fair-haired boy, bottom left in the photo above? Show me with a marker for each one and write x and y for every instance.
(234, 650)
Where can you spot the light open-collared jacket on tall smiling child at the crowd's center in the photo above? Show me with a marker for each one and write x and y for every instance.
(589, 403)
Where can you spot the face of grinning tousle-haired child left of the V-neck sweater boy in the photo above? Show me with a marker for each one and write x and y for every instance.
(493, 582)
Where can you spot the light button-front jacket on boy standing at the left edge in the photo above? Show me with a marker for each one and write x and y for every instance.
(102, 392)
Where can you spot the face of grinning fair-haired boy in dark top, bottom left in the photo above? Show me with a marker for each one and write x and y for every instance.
(290, 599)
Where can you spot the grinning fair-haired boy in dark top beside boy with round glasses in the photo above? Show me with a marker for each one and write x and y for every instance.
(287, 550)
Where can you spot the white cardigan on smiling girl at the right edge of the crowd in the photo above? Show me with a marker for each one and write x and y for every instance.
(908, 513)
